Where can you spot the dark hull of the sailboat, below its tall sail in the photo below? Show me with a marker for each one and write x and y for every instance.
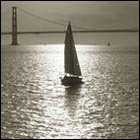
(71, 80)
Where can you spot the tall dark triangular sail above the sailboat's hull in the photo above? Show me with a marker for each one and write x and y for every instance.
(72, 66)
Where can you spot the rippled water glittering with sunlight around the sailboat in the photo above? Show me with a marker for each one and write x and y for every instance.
(35, 105)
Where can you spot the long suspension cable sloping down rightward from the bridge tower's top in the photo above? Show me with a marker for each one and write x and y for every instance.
(49, 20)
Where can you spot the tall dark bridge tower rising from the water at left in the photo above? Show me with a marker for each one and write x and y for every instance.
(14, 26)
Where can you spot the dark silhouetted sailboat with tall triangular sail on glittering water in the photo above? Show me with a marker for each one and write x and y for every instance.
(73, 73)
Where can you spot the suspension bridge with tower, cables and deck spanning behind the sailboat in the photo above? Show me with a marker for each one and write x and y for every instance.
(60, 29)
